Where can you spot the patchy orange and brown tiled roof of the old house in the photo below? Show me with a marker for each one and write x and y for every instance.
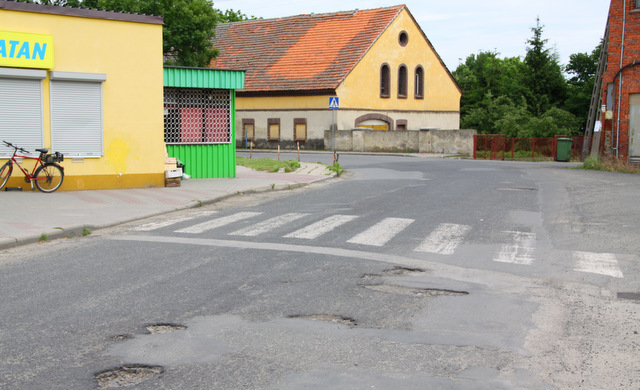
(300, 53)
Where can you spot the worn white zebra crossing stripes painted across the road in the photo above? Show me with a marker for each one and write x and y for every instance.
(518, 246)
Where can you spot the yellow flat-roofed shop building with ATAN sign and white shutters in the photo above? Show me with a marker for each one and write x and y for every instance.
(88, 84)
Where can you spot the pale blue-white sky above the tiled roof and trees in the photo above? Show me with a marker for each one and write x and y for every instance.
(459, 28)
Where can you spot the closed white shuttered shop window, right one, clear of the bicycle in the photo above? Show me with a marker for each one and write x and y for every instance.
(76, 113)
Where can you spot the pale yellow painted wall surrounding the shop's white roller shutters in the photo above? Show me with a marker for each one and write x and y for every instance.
(130, 54)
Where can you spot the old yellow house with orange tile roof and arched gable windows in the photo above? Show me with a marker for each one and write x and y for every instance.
(378, 63)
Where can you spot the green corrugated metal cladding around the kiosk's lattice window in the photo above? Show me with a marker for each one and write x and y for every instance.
(207, 161)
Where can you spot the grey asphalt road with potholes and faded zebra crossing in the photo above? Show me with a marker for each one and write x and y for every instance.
(405, 273)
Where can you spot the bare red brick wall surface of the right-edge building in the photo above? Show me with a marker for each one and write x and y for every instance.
(630, 76)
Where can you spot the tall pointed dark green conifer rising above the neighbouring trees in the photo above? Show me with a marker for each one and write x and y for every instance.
(546, 86)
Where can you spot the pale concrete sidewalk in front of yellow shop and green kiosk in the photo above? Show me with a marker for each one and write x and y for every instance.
(27, 215)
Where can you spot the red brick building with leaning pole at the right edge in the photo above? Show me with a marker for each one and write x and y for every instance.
(620, 91)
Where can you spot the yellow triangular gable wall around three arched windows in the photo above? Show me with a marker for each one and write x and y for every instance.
(361, 88)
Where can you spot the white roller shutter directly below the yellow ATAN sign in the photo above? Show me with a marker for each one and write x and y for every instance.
(20, 113)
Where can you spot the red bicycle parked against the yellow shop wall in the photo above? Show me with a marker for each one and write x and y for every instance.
(46, 173)
